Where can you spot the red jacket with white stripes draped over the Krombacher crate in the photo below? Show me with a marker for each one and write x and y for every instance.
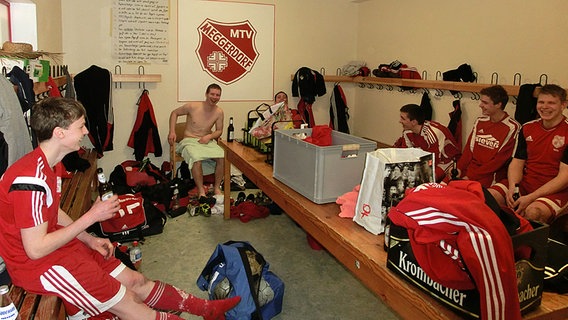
(449, 226)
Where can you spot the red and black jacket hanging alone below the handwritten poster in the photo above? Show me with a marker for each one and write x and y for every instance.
(145, 137)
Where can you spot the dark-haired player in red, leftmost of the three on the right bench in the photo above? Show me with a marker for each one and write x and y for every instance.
(429, 136)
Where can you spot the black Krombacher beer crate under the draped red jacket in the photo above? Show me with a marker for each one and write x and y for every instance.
(530, 273)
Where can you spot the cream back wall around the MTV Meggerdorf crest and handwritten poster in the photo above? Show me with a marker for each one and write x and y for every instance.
(306, 34)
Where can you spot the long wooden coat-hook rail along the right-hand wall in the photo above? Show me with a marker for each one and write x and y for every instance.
(416, 83)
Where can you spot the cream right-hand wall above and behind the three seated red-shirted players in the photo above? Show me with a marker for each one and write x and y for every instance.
(502, 36)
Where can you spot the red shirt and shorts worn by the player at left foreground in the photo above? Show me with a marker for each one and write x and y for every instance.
(30, 193)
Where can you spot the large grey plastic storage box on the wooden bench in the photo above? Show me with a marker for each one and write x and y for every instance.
(321, 174)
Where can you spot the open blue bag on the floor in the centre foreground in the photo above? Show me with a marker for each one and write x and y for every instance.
(236, 269)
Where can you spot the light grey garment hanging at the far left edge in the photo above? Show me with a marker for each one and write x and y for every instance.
(12, 123)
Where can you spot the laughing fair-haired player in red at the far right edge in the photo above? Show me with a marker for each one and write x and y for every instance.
(540, 162)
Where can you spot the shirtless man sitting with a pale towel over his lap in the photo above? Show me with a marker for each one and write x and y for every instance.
(199, 145)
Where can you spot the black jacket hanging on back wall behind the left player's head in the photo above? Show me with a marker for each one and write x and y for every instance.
(93, 89)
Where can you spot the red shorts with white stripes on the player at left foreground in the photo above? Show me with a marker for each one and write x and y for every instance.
(82, 277)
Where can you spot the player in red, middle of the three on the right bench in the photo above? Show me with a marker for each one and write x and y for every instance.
(491, 142)
